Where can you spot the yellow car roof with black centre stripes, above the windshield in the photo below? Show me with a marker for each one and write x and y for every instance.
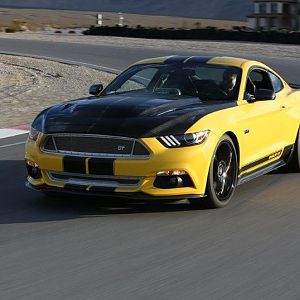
(218, 60)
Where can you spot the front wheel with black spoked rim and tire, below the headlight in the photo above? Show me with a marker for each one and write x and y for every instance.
(222, 176)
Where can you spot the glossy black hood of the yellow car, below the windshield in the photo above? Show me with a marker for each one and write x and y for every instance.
(127, 115)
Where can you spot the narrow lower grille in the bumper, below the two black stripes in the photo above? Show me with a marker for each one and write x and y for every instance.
(95, 181)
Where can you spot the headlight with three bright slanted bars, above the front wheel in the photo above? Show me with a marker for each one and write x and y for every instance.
(184, 140)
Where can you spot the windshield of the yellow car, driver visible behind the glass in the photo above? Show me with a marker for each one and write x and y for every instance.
(208, 82)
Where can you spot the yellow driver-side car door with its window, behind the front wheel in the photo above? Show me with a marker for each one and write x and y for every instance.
(262, 122)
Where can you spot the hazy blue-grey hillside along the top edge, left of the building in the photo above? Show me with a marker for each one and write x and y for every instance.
(213, 9)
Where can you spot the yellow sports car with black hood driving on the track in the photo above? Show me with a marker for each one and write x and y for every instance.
(179, 127)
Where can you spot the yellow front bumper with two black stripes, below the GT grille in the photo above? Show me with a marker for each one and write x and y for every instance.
(193, 160)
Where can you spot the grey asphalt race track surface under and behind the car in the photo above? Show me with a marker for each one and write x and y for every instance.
(102, 249)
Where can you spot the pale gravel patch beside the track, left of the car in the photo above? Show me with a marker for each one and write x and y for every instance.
(27, 86)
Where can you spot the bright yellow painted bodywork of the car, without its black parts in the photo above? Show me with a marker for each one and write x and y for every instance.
(272, 125)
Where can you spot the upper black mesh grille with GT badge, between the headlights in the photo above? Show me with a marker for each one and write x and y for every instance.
(94, 145)
